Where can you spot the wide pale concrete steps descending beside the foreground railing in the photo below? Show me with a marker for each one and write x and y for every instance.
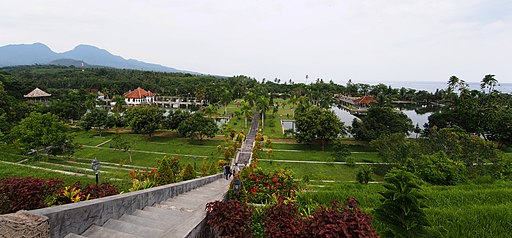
(175, 217)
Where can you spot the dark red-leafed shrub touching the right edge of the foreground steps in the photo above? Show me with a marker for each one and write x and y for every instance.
(229, 218)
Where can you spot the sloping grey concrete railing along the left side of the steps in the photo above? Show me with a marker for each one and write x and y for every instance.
(77, 217)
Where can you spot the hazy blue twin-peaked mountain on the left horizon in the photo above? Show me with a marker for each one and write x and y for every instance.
(38, 53)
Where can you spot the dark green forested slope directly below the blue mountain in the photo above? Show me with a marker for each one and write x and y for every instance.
(22, 79)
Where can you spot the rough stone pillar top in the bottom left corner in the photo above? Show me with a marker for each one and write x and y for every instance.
(21, 224)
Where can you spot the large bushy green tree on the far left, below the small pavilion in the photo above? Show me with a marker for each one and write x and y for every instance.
(42, 131)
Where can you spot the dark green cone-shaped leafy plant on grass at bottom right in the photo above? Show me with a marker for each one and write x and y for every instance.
(402, 209)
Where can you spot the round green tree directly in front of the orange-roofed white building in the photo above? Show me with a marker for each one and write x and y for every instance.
(144, 120)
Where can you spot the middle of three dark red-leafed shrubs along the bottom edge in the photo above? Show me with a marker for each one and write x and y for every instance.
(283, 220)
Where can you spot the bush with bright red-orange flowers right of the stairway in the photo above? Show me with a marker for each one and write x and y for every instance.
(261, 186)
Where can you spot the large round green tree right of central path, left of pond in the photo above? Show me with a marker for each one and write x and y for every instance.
(318, 124)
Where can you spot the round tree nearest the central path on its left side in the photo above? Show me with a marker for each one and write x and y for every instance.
(198, 126)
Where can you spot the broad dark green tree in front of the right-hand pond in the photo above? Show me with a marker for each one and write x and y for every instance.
(381, 121)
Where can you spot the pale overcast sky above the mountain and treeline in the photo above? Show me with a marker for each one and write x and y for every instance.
(362, 40)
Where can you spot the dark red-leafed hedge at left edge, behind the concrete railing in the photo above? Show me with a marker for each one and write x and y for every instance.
(26, 193)
